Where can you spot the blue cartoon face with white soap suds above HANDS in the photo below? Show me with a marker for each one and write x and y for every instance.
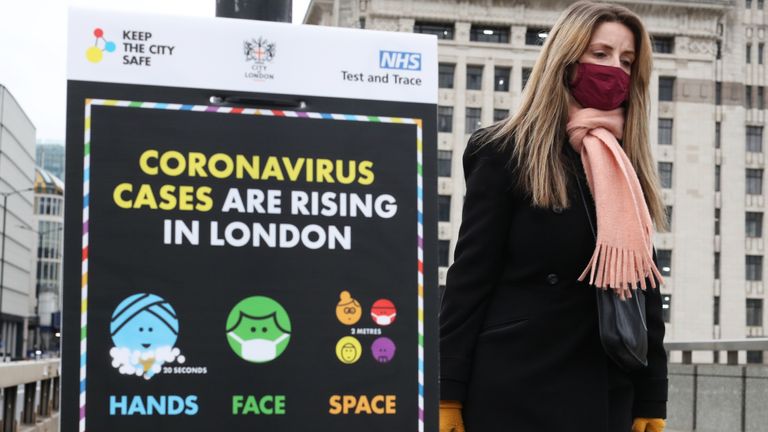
(144, 329)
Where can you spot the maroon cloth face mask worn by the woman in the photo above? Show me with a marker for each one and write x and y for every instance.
(600, 87)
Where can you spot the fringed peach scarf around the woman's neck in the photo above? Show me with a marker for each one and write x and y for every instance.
(623, 255)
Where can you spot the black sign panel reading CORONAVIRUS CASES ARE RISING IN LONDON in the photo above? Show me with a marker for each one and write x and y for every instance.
(236, 268)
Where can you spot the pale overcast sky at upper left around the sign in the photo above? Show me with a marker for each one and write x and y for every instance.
(33, 49)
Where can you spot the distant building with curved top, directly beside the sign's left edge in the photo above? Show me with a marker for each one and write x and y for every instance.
(49, 213)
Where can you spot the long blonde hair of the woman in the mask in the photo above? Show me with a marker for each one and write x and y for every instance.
(538, 126)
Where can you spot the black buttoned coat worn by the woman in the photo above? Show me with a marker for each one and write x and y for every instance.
(519, 341)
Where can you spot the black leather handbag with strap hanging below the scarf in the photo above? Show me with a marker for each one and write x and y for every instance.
(622, 323)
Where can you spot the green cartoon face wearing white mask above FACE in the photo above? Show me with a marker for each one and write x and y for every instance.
(258, 329)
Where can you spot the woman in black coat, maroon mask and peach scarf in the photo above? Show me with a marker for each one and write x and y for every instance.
(520, 346)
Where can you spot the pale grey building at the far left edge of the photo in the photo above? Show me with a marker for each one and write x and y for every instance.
(17, 171)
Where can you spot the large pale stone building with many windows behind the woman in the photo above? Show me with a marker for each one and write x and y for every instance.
(707, 123)
